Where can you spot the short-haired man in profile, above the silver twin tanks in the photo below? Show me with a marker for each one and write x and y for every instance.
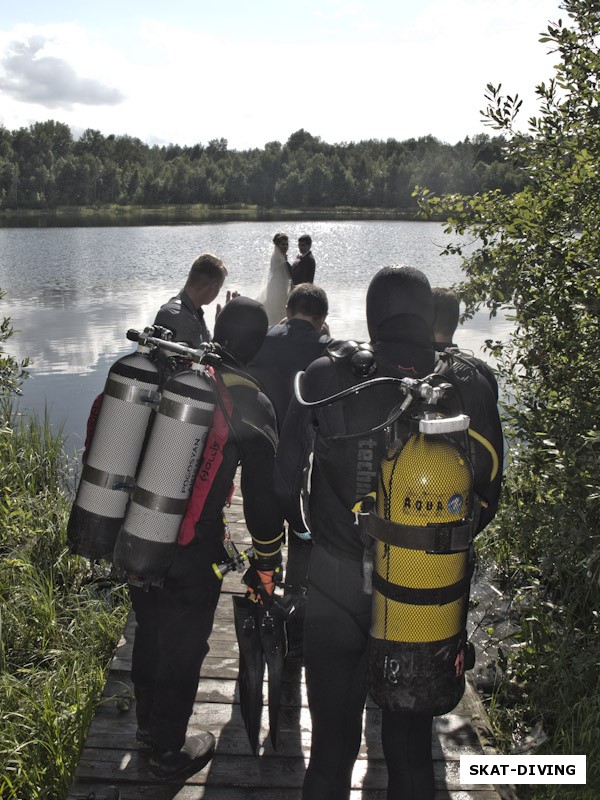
(183, 314)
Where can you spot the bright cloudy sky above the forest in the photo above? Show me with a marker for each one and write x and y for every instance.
(190, 71)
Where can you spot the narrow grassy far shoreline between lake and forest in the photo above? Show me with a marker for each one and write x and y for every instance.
(186, 214)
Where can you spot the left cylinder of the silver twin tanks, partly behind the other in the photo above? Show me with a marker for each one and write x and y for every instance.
(107, 477)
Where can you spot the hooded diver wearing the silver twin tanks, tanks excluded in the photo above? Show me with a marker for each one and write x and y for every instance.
(175, 621)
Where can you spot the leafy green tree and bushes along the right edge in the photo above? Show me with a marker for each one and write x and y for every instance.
(536, 255)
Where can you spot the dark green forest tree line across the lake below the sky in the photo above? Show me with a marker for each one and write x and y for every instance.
(44, 166)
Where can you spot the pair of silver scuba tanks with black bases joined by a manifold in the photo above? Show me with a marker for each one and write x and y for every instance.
(142, 461)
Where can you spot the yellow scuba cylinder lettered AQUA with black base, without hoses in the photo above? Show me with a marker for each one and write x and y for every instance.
(422, 568)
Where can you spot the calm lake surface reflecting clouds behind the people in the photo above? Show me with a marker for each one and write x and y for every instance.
(72, 293)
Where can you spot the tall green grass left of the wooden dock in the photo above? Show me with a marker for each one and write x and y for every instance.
(58, 629)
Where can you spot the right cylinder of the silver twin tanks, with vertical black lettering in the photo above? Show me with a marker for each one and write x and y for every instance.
(166, 476)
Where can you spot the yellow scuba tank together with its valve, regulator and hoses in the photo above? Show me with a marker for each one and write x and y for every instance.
(417, 528)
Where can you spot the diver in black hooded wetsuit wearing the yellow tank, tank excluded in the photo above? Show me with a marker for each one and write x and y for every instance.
(338, 617)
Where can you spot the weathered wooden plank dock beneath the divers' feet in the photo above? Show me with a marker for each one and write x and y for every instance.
(112, 767)
